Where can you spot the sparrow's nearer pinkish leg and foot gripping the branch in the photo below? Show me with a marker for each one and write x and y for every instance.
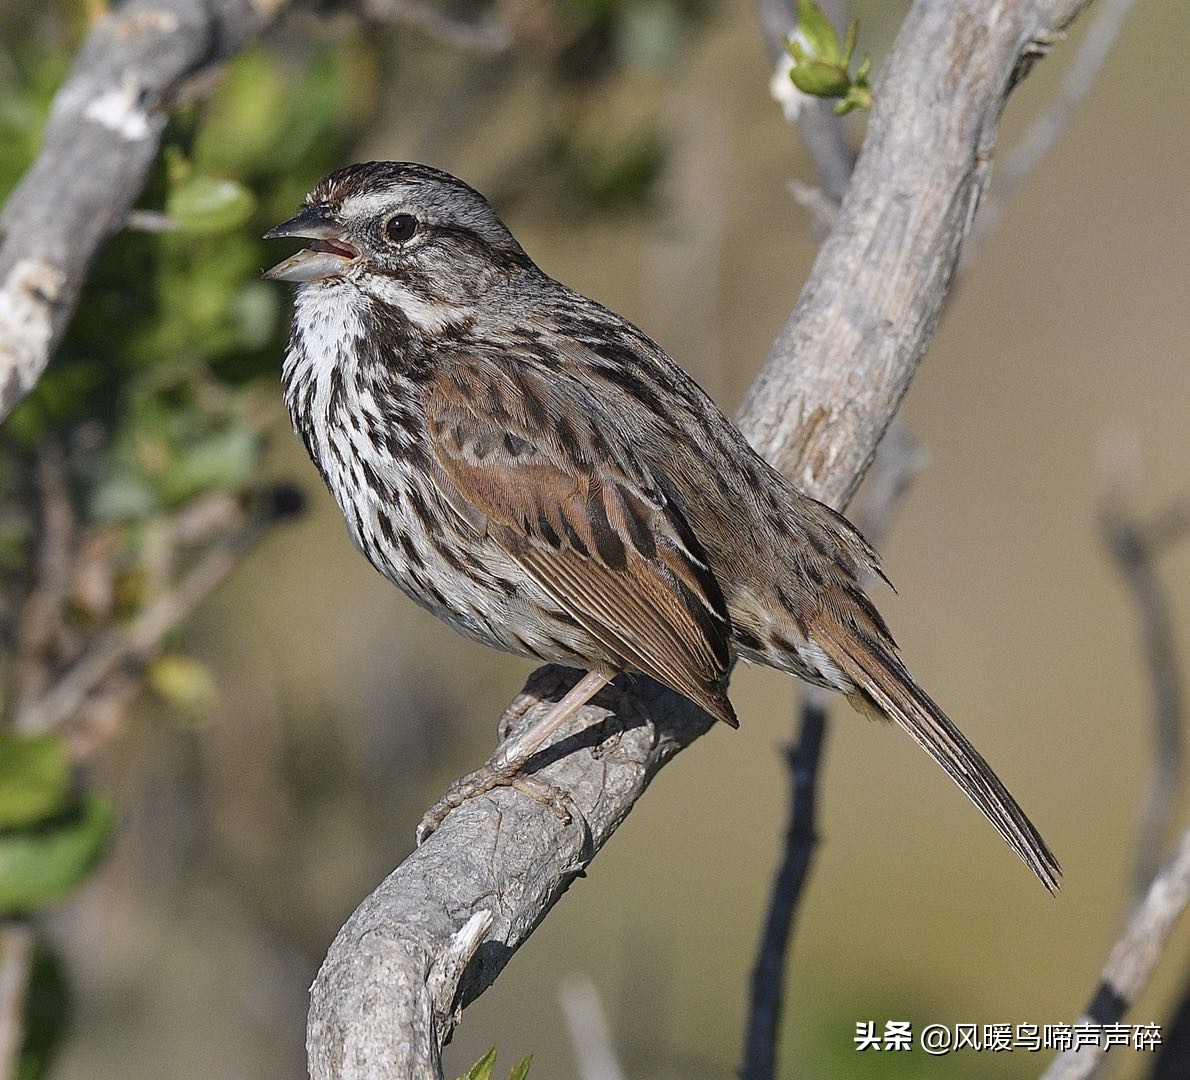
(504, 768)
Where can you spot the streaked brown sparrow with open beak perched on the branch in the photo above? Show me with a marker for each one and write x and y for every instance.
(534, 470)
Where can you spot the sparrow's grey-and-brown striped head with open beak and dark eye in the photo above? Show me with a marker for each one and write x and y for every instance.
(399, 233)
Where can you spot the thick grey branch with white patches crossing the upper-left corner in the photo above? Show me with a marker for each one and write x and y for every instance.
(105, 125)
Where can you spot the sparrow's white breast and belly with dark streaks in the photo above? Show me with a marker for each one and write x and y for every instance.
(349, 441)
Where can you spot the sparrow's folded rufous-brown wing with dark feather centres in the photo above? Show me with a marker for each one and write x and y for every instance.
(525, 464)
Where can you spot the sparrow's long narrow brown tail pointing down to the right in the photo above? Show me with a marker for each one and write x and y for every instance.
(888, 692)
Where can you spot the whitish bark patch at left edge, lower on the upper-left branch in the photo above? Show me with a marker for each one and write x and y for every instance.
(27, 325)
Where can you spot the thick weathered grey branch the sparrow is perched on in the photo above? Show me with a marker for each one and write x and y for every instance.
(832, 384)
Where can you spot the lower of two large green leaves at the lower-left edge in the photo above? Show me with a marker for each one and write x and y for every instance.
(45, 864)
